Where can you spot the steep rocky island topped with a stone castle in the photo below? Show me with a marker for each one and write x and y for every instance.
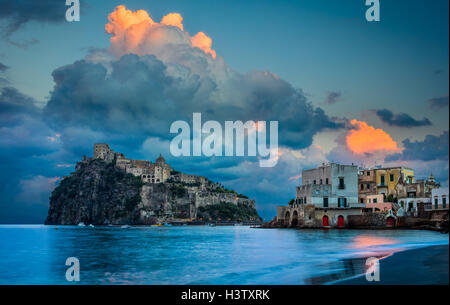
(109, 189)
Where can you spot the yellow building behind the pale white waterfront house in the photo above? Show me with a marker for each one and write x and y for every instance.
(388, 178)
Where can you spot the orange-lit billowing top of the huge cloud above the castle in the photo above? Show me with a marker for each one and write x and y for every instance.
(137, 33)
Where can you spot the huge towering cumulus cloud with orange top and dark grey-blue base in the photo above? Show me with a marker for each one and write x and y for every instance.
(167, 78)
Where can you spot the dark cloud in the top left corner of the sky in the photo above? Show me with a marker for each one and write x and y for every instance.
(15, 14)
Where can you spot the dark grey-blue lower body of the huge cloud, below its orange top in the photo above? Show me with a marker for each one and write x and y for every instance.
(138, 95)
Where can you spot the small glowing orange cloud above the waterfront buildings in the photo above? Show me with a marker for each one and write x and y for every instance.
(365, 138)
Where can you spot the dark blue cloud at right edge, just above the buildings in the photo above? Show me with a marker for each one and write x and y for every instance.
(431, 148)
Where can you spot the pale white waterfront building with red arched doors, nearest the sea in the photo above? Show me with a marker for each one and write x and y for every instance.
(328, 195)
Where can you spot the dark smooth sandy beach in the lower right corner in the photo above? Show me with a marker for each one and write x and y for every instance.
(424, 266)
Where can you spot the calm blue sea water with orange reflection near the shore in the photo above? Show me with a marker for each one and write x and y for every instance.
(192, 255)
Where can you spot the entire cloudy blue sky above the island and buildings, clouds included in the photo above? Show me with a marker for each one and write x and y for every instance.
(343, 89)
